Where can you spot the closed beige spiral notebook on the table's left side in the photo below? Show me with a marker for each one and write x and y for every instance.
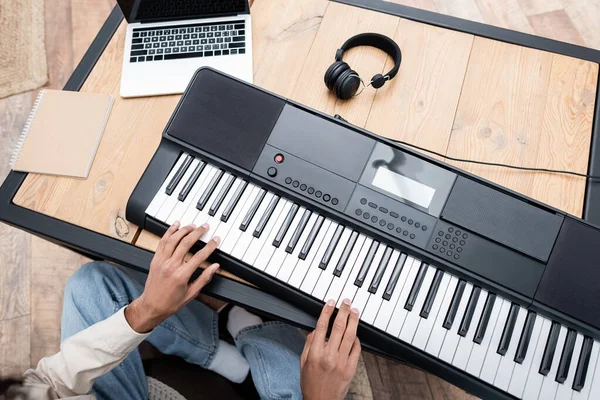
(62, 134)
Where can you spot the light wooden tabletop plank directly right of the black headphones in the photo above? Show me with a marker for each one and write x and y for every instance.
(419, 105)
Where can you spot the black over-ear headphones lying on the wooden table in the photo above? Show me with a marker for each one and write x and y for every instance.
(344, 81)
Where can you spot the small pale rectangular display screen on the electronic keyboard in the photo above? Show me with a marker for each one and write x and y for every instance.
(403, 187)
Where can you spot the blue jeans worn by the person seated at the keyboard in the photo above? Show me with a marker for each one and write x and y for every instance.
(97, 290)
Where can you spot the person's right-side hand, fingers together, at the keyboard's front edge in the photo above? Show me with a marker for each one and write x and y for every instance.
(327, 367)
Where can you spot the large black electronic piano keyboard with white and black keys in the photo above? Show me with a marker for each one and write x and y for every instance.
(488, 289)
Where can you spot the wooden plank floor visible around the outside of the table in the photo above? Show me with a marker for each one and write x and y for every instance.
(33, 272)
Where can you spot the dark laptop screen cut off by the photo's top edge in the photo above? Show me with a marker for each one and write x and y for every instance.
(166, 10)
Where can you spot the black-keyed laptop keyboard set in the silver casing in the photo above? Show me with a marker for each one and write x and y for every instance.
(188, 41)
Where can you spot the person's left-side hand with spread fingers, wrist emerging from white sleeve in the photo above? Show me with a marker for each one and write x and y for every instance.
(168, 288)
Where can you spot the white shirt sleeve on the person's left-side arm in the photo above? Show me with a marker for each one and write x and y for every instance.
(85, 357)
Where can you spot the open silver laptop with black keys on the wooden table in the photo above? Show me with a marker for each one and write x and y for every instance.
(168, 40)
